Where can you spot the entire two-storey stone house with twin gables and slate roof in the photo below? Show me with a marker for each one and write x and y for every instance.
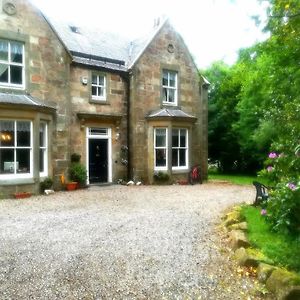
(129, 108)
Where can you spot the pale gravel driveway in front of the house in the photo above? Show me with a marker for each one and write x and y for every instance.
(116, 242)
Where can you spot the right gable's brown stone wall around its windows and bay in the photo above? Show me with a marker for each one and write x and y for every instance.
(146, 96)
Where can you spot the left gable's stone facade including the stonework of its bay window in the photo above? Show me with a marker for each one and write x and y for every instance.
(47, 69)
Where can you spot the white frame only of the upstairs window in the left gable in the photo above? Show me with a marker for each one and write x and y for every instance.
(10, 63)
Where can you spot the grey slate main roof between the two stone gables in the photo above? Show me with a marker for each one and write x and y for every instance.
(94, 47)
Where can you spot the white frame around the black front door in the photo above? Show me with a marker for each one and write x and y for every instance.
(105, 134)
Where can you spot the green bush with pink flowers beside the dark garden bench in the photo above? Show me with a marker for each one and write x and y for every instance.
(283, 173)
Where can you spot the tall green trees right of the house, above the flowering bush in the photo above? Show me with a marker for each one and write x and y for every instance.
(256, 102)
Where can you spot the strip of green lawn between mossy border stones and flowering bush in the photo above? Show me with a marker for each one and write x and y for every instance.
(284, 250)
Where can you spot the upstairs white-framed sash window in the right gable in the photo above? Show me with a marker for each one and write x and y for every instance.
(169, 86)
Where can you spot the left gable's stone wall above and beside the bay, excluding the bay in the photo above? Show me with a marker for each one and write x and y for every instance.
(46, 77)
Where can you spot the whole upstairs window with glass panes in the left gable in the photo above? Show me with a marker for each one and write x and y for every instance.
(12, 65)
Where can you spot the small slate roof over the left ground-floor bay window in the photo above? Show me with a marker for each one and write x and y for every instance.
(26, 100)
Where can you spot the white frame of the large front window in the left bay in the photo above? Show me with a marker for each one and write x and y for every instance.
(16, 175)
